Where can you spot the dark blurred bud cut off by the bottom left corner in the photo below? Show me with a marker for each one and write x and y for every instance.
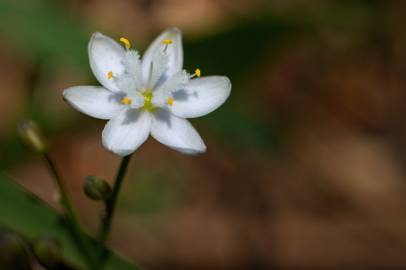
(13, 251)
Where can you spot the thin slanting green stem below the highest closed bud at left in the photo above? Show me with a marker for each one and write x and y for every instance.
(80, 237)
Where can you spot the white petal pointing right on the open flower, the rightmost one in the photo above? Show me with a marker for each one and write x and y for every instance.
(201, 96)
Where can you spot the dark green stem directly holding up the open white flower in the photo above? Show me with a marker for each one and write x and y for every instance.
(110, 206)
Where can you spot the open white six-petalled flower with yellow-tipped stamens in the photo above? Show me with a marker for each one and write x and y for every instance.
(152, 95)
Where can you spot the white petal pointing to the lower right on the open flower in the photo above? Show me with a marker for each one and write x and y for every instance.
(176, 133)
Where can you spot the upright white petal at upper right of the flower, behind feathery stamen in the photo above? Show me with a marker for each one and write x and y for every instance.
(174, 51)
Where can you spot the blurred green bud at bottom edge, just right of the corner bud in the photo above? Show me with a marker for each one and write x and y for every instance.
(47, 250)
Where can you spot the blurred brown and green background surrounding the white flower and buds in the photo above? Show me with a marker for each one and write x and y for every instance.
(306, 161)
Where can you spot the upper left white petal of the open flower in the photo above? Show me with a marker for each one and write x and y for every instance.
(105, 55)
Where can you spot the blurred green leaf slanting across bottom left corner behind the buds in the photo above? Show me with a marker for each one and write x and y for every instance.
(27, 215)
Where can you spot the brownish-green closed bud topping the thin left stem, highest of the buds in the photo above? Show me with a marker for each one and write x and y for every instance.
(32, 136)
